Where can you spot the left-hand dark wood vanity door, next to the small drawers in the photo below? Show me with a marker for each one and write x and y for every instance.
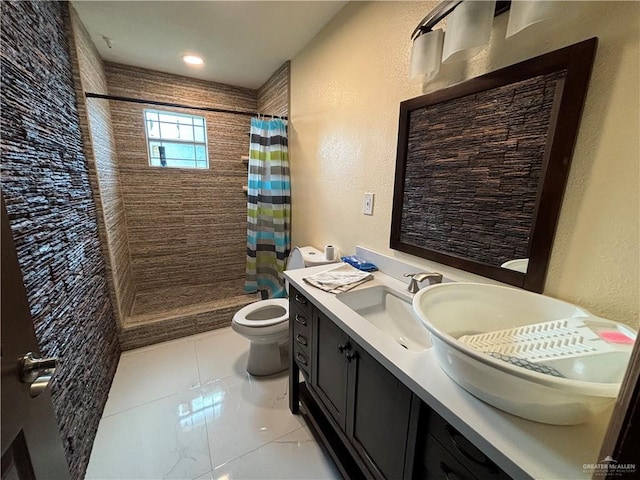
(330, 366)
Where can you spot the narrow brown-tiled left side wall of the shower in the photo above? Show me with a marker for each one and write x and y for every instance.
(100, 150)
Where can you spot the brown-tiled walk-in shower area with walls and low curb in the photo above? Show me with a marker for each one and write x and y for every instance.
(174, 239)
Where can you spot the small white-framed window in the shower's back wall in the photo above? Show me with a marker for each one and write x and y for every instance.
(176, 140)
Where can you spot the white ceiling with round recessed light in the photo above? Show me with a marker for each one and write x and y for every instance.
(242, 42)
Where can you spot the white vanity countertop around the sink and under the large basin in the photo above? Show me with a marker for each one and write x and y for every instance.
(522, 448)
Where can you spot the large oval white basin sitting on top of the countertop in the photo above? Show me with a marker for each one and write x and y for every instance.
(453, 310)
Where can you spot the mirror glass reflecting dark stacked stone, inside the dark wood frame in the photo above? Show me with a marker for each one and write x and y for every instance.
(490, 148)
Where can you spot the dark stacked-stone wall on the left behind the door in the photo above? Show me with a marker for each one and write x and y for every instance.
(53, 217)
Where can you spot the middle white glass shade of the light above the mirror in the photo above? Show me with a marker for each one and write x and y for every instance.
(468, 30)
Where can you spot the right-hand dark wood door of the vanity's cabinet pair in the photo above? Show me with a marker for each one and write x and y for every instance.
(379, 421)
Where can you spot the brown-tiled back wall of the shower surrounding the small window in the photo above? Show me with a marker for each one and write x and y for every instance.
(186, 227)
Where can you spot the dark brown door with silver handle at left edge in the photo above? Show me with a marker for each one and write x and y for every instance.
(31, 445)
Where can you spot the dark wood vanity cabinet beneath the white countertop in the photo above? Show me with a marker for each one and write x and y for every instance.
(372, 425)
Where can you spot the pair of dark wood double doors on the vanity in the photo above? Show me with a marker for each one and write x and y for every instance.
(369, 404)
